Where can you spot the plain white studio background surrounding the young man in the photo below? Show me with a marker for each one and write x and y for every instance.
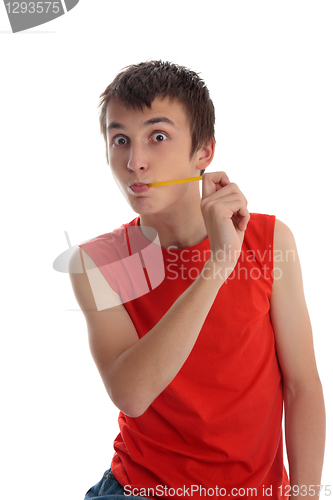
(268, 66)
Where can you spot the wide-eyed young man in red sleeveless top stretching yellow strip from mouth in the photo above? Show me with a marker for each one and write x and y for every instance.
(201, 364)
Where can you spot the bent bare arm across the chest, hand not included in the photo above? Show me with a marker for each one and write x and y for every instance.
(136, 371)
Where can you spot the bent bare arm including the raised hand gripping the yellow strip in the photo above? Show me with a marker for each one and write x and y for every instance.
(135, 371)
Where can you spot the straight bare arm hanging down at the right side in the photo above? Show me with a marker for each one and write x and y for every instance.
(303, 395)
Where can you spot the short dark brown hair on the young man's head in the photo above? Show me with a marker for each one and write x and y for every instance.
(138, 85)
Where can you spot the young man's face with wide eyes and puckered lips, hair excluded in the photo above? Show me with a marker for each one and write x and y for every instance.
(151, 145)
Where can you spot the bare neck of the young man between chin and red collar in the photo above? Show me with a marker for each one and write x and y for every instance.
(178, 228)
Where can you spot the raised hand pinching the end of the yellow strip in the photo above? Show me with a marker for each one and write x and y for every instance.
(224, 209)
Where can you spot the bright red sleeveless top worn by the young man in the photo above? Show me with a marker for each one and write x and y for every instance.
(216, 430)
